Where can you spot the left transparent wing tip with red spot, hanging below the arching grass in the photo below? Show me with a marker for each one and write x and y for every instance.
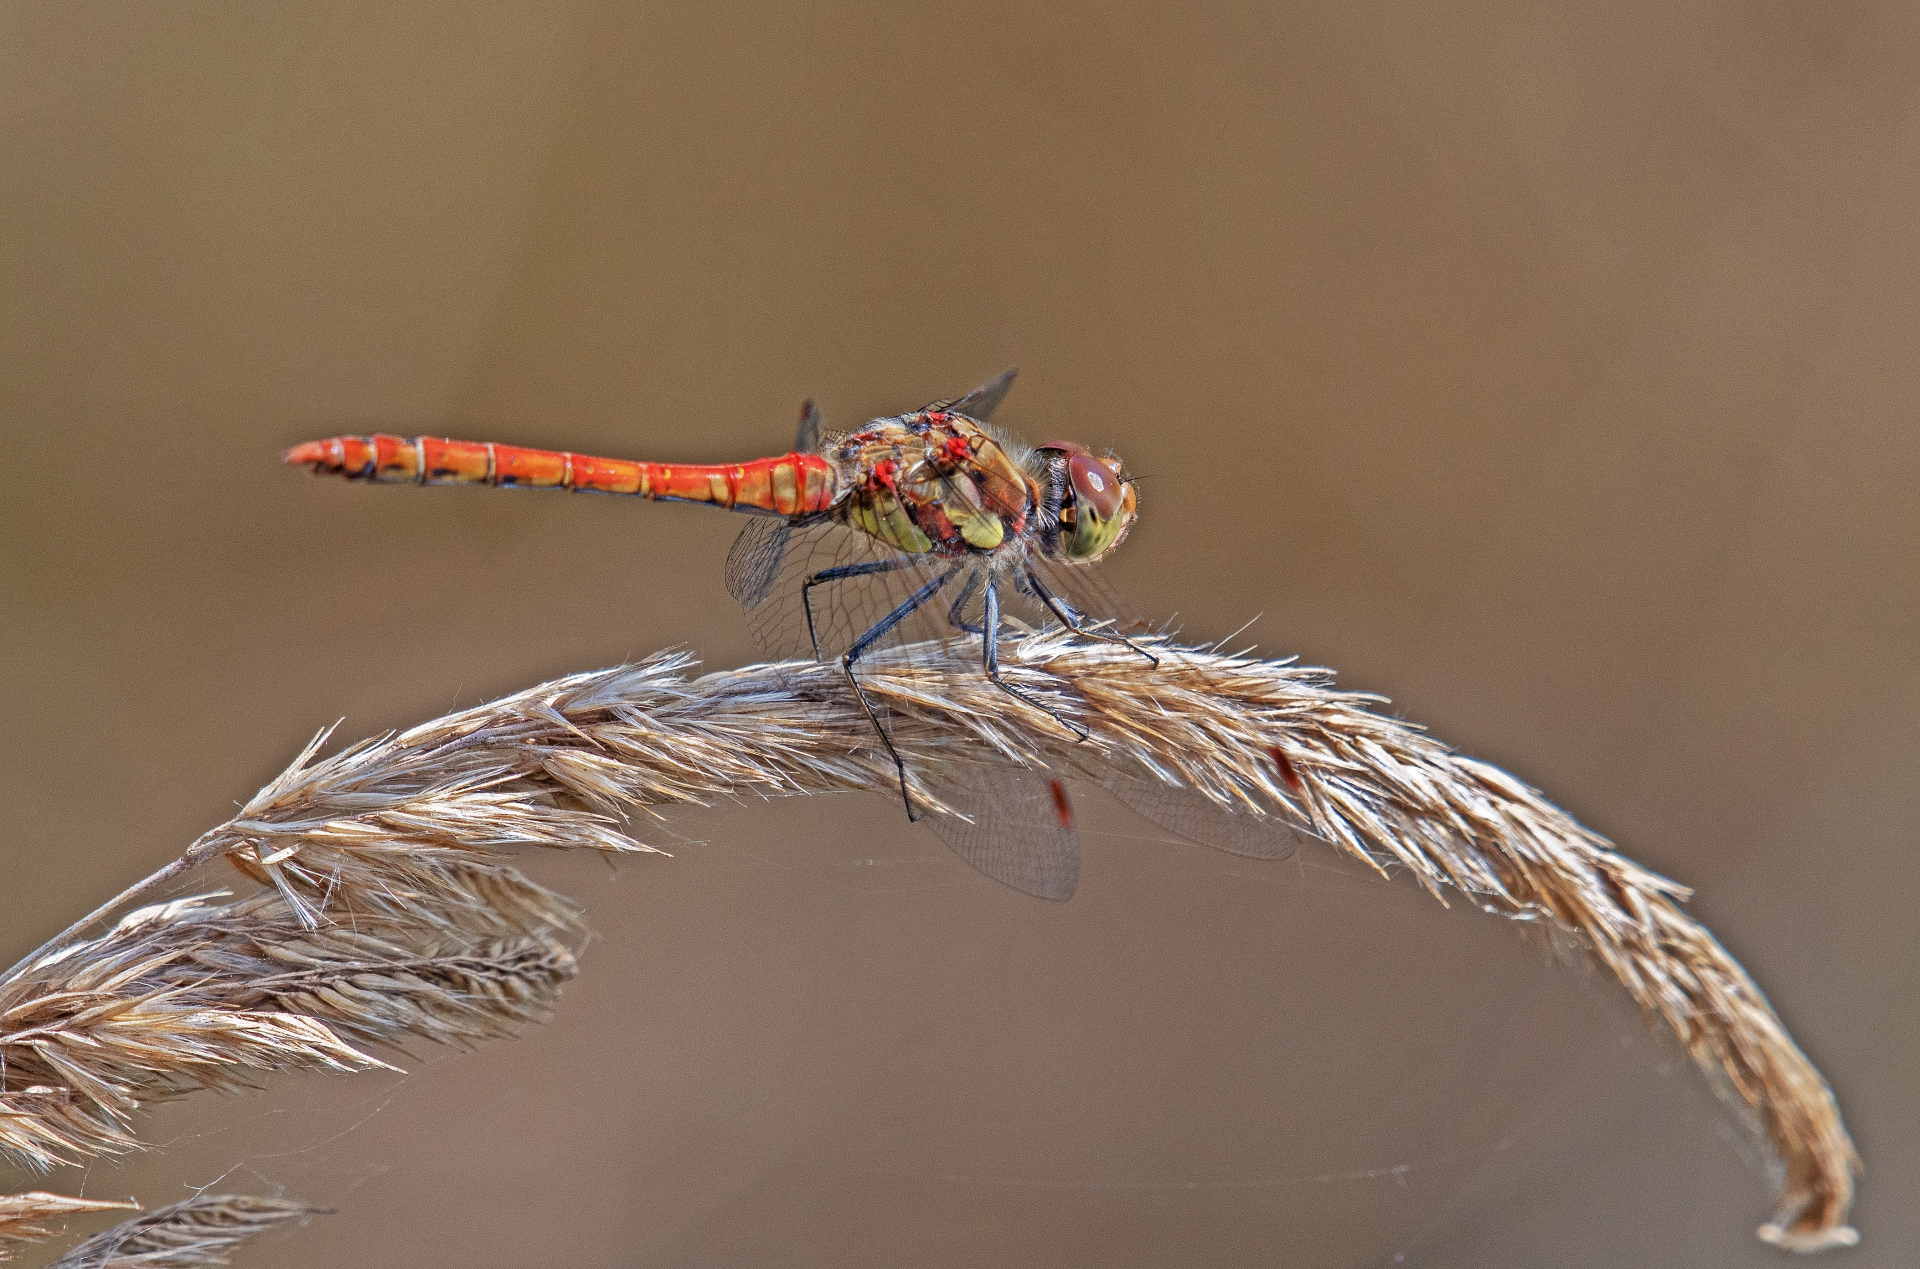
(1022, 826)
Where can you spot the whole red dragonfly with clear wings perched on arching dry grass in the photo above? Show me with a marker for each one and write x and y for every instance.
(921, 527)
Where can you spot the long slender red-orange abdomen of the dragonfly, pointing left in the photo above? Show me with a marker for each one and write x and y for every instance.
(794, 485)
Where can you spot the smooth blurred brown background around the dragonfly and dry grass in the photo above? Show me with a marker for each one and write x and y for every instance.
(1548, 371)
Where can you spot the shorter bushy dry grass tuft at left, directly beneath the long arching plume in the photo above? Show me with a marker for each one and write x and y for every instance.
(214, 995)
